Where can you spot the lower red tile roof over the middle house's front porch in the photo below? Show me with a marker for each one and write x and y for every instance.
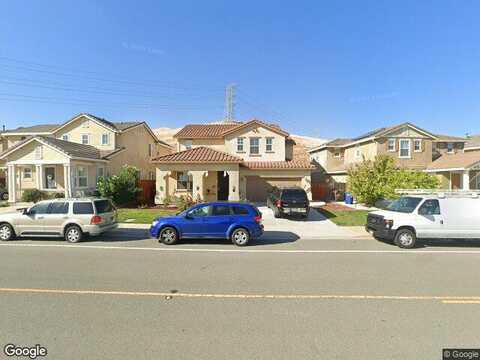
(199, 154)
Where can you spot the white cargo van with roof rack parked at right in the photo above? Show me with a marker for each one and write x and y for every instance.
(434, 215)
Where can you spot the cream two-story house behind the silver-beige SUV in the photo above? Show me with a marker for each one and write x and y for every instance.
(70, 157)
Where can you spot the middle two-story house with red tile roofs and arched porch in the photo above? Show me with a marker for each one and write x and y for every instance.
(230, 161)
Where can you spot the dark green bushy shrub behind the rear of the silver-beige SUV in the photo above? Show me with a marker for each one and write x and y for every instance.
(122, 188)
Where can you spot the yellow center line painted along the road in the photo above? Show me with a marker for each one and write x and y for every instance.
(445, 299)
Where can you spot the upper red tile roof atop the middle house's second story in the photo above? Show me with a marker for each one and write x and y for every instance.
(218, 131)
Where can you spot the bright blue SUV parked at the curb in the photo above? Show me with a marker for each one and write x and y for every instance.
(238, 222)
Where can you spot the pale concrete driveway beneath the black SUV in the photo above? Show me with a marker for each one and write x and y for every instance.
(315, 226)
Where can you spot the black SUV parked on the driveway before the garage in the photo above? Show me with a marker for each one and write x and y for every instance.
(288, 201)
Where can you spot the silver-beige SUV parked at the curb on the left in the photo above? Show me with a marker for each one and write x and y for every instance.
(69, 218)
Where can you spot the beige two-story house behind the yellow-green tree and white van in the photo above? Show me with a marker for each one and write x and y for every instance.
(410, 146)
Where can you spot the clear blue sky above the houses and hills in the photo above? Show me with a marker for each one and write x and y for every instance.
(319, 68)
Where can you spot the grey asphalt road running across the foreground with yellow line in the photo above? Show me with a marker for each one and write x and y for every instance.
(126, 297)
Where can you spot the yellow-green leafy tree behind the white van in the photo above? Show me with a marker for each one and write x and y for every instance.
(370, 181)
